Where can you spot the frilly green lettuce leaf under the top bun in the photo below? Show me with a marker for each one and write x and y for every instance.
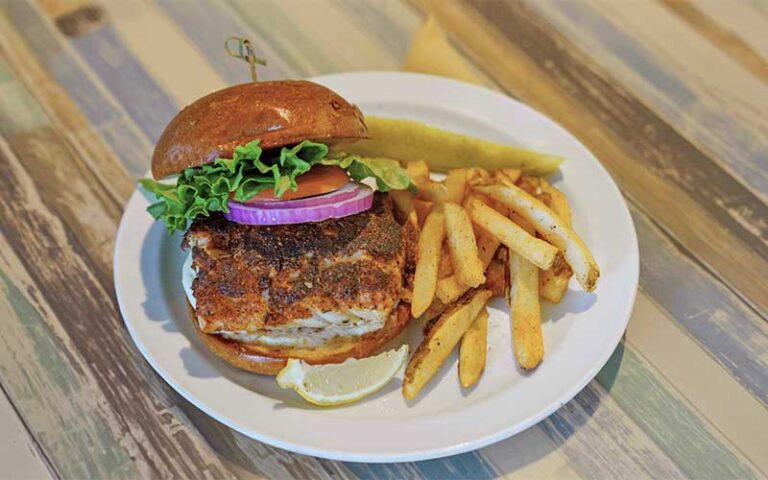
(201, 190)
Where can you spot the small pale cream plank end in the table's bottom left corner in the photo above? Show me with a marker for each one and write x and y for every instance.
(19, 453)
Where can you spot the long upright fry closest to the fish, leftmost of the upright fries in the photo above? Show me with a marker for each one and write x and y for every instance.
(425, 278)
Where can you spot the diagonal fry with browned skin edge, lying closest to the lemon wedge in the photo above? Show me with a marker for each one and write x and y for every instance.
(442, 338)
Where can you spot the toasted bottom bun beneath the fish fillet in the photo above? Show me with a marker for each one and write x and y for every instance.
(270, 359)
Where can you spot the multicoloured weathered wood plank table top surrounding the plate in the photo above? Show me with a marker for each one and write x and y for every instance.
(671, 96)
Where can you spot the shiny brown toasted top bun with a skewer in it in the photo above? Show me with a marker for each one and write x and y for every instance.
(278, 113)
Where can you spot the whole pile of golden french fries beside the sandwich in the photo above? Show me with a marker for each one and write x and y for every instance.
(484, 234)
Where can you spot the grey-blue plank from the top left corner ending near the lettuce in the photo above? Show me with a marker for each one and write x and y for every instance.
(107, 117)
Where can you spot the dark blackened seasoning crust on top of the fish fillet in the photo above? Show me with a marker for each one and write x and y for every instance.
(253, 277)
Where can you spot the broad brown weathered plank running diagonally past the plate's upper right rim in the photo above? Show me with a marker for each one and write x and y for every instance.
(694, 200)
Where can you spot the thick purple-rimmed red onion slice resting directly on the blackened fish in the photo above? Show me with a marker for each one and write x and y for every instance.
(252, 215)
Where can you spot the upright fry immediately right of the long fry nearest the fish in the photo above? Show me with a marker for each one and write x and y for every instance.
(463, 246)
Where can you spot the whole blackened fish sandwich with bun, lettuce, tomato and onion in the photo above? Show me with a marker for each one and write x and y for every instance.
(294, 250)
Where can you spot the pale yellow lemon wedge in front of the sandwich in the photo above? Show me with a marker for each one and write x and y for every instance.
(337, 384)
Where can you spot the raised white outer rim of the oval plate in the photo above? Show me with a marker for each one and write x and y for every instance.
(499, 434)
